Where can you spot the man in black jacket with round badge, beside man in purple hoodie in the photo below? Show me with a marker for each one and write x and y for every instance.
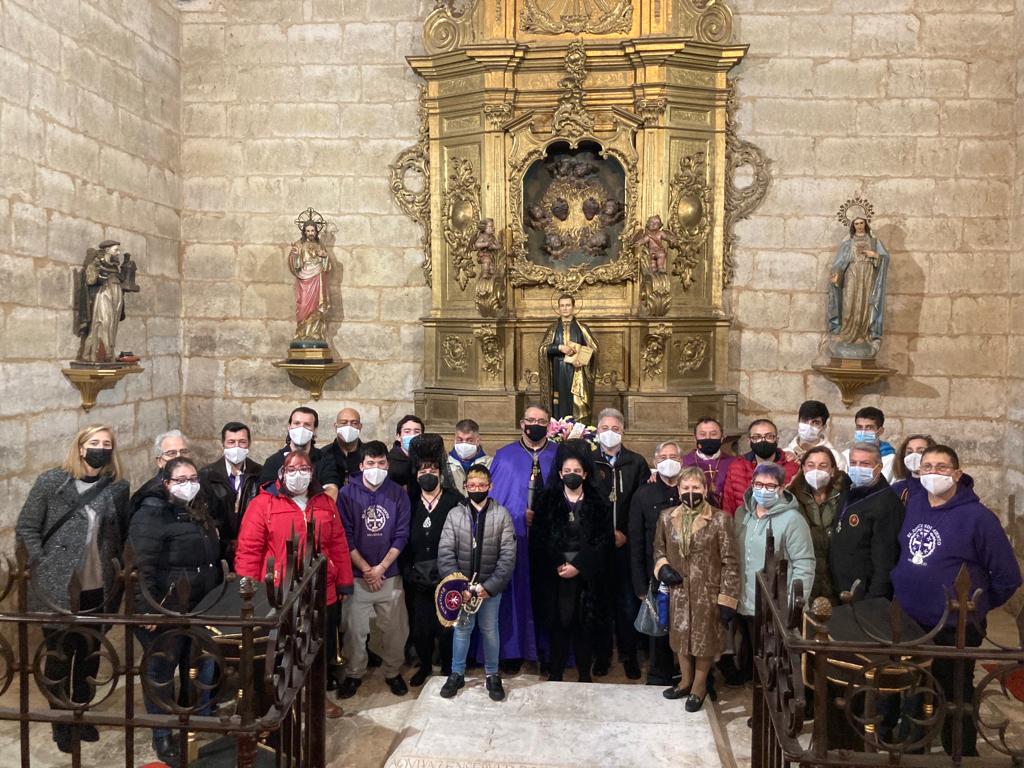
(865, 544)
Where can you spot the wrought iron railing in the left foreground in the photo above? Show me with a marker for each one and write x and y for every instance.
(257, 659)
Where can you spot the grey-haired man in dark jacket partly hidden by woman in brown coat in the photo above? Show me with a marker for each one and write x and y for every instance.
(646, 508)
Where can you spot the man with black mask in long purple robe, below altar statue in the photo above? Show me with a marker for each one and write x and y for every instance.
(517, 470)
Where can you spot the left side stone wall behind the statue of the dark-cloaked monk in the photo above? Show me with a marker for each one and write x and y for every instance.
(90, 146)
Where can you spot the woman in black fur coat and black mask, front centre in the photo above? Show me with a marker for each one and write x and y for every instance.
(572, 548)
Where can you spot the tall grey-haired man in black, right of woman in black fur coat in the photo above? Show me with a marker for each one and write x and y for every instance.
(619, 475)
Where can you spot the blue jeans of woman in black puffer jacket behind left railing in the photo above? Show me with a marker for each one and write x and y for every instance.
(170, 658)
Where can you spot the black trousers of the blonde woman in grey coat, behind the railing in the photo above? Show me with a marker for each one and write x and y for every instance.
(72, 661)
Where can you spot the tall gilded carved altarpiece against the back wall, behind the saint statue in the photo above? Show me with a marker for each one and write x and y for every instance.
(569, 124)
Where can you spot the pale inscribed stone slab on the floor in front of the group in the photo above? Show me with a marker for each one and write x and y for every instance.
(554, 726)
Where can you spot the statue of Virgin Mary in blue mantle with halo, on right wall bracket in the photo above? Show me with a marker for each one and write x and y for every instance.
(858, 289)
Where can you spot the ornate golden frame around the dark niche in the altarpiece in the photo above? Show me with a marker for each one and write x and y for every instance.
(528, 148)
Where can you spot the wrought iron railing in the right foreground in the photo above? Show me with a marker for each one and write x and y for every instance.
(874, 700)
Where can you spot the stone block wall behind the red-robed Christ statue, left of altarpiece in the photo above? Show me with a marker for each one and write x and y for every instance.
(288, 106)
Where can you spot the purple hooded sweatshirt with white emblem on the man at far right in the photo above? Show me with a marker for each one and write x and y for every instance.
(936, 541)
